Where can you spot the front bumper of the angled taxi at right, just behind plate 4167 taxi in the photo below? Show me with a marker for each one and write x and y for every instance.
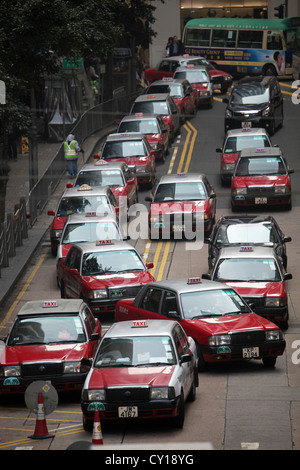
(235, 353)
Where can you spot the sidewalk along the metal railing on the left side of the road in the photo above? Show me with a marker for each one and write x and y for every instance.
(18, 187)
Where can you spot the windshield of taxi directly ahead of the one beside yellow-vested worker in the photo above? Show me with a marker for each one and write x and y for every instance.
(82, 204)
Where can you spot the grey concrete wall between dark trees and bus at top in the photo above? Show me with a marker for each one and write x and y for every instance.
(167, 24)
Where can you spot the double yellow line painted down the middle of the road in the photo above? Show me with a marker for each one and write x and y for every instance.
(187, 152)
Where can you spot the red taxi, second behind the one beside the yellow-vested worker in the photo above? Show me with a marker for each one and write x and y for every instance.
(154, 129)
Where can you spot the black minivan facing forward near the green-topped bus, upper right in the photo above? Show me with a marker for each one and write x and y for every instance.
(255, 102)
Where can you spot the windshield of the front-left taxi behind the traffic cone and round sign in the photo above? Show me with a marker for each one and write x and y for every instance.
(45, 329)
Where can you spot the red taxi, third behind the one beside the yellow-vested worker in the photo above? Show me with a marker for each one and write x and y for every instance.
(162, 104)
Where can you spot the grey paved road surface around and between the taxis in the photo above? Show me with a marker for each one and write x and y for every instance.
(238, 406)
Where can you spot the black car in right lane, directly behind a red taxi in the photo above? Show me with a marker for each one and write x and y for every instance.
(247, 229)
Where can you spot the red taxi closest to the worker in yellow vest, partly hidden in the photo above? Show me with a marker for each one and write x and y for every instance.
(117, 175)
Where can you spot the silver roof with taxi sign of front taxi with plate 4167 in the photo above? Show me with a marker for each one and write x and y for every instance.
(151, 328)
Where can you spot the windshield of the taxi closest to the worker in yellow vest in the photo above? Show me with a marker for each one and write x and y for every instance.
(100, 178)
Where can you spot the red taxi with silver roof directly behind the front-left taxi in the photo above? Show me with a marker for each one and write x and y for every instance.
(101, 273)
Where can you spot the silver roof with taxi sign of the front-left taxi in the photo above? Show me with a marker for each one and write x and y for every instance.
(51, 307)
